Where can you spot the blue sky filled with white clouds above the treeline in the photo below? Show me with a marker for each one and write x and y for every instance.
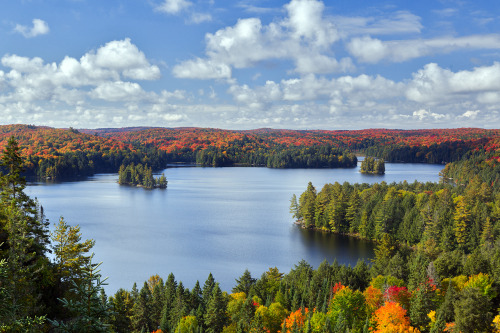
(245, 64)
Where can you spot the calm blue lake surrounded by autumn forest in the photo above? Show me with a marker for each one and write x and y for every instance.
(219, 220)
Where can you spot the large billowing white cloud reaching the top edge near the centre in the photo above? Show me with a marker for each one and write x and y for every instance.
(304, 36)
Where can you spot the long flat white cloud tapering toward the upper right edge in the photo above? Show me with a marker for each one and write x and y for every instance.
(372, 50)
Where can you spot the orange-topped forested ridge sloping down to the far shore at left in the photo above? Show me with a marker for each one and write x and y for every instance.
(51, 153)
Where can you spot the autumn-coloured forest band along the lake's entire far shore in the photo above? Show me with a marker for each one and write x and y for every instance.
(64, 153)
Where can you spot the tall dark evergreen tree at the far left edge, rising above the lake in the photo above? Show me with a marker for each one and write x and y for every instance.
(24, 239)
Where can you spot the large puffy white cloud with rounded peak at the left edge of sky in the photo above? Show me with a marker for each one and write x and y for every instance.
(31, 79)
